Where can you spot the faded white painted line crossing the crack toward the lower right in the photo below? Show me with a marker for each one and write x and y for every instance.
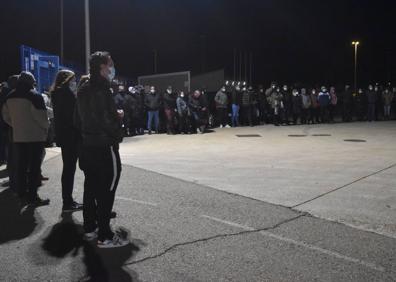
(301, 244)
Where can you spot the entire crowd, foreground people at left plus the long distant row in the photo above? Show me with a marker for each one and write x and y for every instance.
(88, 119)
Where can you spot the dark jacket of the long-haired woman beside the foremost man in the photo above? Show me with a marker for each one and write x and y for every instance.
(64, 102)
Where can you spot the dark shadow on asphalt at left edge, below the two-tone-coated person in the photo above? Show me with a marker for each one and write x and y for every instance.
(16, 222)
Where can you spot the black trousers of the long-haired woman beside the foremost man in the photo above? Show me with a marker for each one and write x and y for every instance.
(69, 158)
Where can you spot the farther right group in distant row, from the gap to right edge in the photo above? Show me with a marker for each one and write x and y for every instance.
(281, 105)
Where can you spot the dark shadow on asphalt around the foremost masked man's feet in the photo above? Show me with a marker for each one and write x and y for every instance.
(101, 265)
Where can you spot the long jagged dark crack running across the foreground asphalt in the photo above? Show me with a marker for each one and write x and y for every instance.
(175, 246)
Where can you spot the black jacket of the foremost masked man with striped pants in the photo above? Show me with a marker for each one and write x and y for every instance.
(96, 114)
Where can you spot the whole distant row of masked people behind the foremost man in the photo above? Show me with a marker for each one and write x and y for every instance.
(240, 105)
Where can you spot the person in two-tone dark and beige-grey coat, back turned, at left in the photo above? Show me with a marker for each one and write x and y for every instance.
(25, 112)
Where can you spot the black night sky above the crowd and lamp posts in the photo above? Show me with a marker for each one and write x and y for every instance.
(303, 41)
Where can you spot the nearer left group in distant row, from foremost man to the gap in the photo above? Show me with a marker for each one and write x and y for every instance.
(181, 113)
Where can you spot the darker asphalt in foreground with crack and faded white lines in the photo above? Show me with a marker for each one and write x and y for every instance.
(183, 230)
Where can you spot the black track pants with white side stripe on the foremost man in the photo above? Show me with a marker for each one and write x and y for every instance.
(102, 169)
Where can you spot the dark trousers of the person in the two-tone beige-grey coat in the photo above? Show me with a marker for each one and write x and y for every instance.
(27, 168)
